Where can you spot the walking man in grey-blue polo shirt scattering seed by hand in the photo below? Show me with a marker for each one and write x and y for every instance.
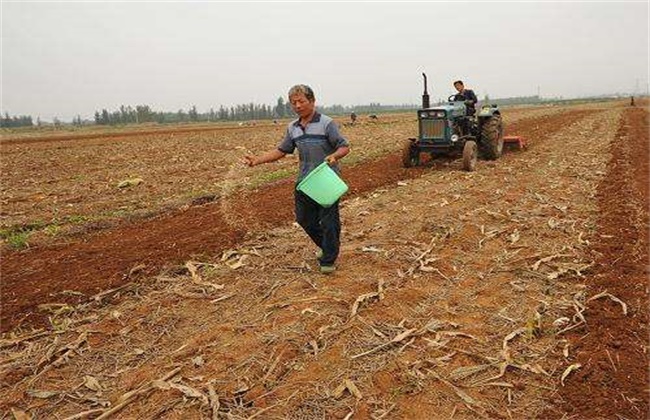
(317, 139)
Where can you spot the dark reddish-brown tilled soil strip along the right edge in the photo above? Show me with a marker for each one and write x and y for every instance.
(613, 348)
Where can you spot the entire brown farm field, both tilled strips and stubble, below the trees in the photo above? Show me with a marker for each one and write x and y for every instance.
(517, 291)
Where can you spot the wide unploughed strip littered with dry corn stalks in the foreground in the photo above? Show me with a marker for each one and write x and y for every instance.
(451, 313)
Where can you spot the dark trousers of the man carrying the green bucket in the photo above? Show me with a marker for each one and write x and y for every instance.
(322, 224)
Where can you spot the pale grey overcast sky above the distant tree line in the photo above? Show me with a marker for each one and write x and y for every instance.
(67, 58)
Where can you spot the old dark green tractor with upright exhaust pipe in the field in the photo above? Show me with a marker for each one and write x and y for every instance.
(448, 130)
